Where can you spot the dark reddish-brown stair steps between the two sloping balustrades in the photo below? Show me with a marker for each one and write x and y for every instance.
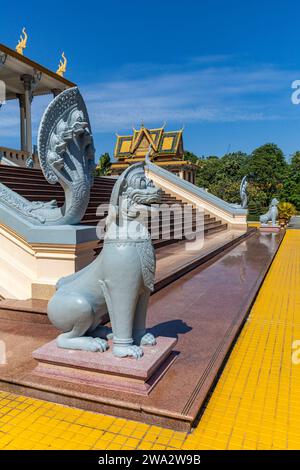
(31, 184)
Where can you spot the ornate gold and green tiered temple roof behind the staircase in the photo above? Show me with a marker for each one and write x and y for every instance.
(165, 144)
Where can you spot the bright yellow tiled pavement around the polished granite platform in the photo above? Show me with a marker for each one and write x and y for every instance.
(255, 404)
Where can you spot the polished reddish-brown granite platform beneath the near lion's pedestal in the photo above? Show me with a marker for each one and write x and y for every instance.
(204, 310)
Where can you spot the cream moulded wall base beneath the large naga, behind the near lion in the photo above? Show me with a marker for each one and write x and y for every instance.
(31, 270)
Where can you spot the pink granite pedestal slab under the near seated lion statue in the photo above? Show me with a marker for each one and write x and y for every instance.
(104, 370)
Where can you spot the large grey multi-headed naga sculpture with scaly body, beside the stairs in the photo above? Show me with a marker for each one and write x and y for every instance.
(66, 154)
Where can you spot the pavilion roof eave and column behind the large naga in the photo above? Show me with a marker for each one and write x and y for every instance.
(24, 79)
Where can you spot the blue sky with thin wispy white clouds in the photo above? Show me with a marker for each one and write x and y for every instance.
(223, 69)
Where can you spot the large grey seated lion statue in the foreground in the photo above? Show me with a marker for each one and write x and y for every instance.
(119, 281)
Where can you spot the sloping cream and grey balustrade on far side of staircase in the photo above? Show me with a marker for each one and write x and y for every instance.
(198, 197)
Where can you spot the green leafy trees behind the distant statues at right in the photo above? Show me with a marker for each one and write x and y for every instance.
(269, 173)
